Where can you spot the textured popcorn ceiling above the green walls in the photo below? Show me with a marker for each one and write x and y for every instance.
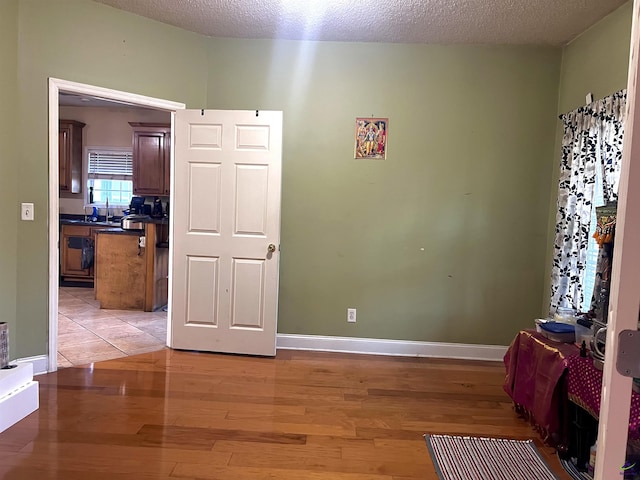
(539, 22)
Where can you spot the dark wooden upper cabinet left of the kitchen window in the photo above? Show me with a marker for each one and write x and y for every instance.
(70, 156)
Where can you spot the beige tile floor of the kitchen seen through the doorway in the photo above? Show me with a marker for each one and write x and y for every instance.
(88, 334)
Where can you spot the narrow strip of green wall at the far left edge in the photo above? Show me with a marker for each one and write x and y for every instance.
(9, 166)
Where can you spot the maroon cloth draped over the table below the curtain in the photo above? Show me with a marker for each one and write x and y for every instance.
(543, 375)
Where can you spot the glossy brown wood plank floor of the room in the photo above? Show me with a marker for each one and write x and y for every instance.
(303, 415)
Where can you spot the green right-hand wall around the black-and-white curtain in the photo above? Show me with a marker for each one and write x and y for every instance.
(597, 62)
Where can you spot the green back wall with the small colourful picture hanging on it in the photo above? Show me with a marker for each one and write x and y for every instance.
(446, 239)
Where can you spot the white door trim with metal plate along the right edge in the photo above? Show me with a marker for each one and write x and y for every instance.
(625, 280)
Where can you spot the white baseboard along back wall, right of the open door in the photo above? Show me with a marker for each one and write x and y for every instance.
(374, 346)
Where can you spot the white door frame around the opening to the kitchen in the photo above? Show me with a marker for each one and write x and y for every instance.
(56, 86)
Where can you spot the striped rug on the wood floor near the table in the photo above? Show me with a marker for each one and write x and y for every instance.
(472, 458)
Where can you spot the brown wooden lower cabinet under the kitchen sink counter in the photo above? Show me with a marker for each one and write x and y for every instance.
(71, 239)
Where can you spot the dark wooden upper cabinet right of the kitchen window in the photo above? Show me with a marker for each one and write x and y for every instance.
(151, 158)
